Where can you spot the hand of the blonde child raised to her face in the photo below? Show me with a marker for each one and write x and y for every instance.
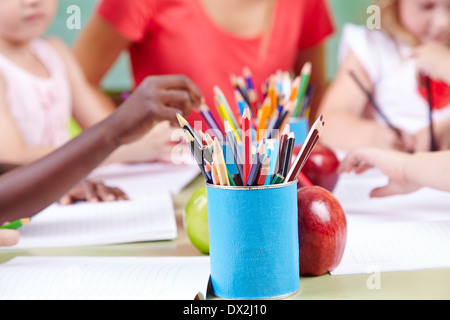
(433, 60)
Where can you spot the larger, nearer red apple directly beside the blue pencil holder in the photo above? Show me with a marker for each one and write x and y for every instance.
(322, 229)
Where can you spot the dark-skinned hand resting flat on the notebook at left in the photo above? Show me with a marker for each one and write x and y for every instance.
(93, 192)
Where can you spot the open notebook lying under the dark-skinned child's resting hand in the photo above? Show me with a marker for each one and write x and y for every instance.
(83, 224)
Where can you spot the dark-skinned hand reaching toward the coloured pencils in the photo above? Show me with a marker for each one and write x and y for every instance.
(158, 98)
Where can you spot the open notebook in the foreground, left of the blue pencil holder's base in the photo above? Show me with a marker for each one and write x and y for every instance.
(111, 278)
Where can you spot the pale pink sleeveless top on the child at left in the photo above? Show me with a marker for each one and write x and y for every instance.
(41, 107)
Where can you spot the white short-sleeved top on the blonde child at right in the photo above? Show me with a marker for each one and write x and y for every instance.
(393, 74)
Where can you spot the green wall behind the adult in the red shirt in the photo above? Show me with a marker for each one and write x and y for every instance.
(118, 79)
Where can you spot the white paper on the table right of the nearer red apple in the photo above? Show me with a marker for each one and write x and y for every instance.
(406, 232)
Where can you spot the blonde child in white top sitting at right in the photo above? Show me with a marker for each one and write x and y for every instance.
(414, 38)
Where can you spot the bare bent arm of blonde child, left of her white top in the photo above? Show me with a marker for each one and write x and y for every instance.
(343, 107)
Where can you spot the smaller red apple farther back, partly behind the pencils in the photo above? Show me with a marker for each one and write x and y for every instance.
(321, 167)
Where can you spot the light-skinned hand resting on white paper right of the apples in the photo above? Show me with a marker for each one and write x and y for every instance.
(391, 163)
